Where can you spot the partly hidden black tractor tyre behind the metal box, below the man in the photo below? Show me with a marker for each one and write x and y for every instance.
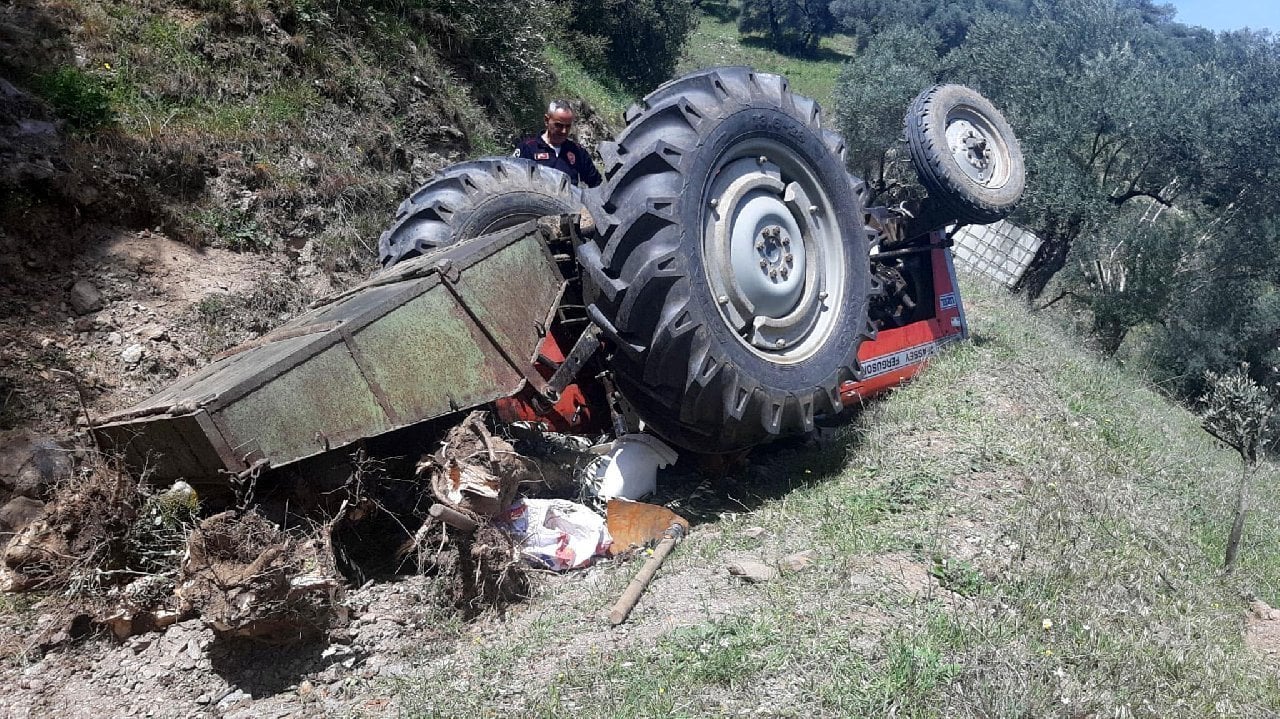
(473, 199)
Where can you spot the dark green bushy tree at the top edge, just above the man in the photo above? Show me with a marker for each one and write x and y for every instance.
(636, 42)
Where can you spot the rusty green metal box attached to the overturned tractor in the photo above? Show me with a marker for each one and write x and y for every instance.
(441, 333)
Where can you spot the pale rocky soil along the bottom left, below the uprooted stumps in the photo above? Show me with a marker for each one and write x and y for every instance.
(185, 672)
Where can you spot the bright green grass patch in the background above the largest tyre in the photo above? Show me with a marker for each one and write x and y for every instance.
(717, 43)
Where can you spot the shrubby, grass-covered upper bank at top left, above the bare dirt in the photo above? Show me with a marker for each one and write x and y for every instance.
(250, 126)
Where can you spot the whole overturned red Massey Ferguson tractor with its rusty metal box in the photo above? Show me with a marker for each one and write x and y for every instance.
(729, 285)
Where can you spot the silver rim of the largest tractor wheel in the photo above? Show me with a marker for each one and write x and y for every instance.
(772, 251)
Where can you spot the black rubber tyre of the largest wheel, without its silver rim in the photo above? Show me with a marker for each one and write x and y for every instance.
(652, 283)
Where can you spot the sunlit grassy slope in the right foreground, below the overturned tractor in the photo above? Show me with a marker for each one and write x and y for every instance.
(1026, 532)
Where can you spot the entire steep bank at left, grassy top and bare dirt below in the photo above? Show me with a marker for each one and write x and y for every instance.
(205, 168)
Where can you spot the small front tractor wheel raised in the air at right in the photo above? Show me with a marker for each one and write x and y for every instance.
(966, 155)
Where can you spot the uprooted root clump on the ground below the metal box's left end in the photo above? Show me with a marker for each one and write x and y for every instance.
(248, 579)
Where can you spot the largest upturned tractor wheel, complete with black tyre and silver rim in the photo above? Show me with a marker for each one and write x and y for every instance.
(730, 264)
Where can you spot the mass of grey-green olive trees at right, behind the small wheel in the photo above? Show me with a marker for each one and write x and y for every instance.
(1153, 154)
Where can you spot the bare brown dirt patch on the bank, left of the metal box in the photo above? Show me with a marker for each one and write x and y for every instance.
(138, 336)
